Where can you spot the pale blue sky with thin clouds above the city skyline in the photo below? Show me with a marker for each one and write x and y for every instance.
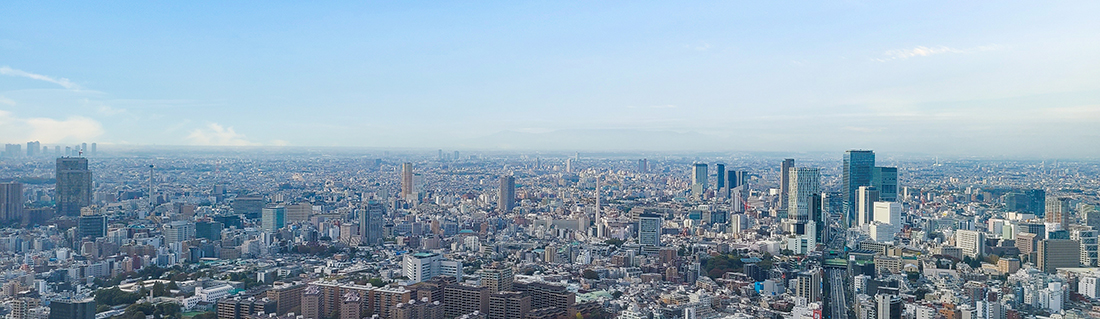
(1007, 79)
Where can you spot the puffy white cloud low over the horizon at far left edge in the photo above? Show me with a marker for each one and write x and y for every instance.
(47, 130)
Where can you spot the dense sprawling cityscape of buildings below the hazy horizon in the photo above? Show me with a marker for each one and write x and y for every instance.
(371, 234)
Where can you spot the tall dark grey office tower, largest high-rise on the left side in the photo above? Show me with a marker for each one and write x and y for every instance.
(73, 185)
